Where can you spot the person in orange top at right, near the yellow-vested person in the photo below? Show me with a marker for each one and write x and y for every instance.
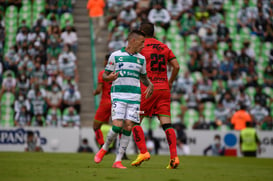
(240, 117)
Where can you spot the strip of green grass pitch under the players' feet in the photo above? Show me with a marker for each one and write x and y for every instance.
(80, 167)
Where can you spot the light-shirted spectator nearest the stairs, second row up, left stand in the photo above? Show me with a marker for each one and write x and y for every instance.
(72, 98)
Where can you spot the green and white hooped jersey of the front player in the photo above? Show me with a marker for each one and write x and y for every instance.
(126, 87)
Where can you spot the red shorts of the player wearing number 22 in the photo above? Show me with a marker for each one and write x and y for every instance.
(158, 104)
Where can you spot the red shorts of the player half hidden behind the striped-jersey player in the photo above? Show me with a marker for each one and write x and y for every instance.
(104, 112)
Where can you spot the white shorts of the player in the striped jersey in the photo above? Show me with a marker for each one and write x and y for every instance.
(125, 111)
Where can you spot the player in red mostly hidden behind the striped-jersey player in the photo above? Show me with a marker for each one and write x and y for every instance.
(104, 110)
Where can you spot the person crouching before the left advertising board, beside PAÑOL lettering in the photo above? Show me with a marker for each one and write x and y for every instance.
(32, 143)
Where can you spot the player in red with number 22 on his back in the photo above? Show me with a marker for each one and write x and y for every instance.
(157, 55)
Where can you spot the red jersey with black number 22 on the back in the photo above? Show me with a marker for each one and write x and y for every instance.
(157, 56)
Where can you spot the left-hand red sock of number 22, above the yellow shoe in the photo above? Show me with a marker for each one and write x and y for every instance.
(139, 138)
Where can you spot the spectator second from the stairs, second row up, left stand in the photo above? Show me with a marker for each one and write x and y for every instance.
(54, 97)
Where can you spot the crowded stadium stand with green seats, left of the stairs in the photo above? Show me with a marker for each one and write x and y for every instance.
(38, 64)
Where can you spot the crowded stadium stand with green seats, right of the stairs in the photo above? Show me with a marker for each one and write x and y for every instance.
(223, 48)
